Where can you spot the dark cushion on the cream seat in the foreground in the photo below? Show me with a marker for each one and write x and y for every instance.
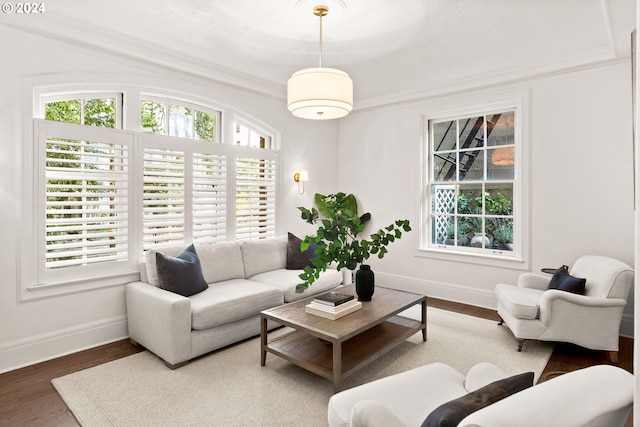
(454, 411)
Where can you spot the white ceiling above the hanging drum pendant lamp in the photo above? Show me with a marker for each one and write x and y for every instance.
(394, 50)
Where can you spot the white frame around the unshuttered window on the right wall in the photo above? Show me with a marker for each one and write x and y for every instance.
(473, 106)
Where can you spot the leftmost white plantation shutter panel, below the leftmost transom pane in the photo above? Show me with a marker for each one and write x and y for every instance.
(85, 194)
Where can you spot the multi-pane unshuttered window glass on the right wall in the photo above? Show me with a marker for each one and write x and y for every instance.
(472, 183)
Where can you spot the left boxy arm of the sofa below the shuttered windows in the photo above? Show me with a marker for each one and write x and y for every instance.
(160, 321)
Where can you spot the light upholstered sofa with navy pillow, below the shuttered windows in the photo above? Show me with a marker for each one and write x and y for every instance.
(244, 278)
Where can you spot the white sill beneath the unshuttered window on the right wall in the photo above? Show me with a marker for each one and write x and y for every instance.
(494, 259)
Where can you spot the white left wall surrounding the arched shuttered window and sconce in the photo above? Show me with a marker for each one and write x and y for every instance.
(45, 328)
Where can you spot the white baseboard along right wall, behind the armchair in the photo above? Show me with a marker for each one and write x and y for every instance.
(464, 294)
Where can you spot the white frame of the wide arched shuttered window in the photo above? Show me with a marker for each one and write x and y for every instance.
(31, 285)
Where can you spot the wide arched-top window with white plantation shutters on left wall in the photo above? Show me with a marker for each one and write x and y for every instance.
(105, 194)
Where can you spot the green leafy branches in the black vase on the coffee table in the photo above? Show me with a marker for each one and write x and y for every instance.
(336, 238)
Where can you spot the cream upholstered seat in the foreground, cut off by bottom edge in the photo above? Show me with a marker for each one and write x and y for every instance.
(598, 396)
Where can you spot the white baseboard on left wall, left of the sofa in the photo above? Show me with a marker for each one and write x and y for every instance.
(40, 348)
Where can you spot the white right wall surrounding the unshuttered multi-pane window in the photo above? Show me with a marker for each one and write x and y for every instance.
(581, 179)
